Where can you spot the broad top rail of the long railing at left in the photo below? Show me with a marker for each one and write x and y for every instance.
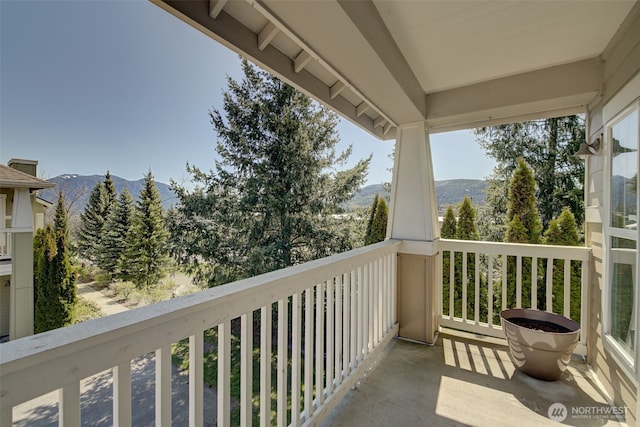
(110, 340)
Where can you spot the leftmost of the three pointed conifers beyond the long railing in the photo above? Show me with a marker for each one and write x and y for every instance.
(92, 223)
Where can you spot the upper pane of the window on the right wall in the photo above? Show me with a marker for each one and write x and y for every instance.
(624, 172)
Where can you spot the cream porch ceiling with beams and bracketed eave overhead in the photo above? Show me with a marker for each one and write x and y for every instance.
(452, 64)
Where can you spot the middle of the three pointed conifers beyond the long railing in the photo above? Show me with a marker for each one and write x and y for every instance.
(115, 235)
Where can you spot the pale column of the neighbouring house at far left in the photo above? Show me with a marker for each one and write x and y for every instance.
(21, 309)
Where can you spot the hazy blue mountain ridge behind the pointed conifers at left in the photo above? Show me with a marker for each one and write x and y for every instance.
(80, 186)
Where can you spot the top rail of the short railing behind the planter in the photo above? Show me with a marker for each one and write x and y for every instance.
(579, 253)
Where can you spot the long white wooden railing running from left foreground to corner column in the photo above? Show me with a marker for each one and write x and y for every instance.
(341, 312)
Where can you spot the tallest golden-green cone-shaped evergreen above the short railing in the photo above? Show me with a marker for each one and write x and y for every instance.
(523, 223)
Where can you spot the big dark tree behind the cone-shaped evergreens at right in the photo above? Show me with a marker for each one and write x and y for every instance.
(548, 145)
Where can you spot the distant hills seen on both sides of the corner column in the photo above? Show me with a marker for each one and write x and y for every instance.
(448, 192)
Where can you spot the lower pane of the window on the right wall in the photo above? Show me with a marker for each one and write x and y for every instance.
(623, 271)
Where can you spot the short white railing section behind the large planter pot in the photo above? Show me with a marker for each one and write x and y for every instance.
(500, 282)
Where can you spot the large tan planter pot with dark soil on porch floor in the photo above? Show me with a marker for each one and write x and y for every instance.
(538, 353)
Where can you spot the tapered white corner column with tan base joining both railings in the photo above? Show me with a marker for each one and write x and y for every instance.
(413, 218)
